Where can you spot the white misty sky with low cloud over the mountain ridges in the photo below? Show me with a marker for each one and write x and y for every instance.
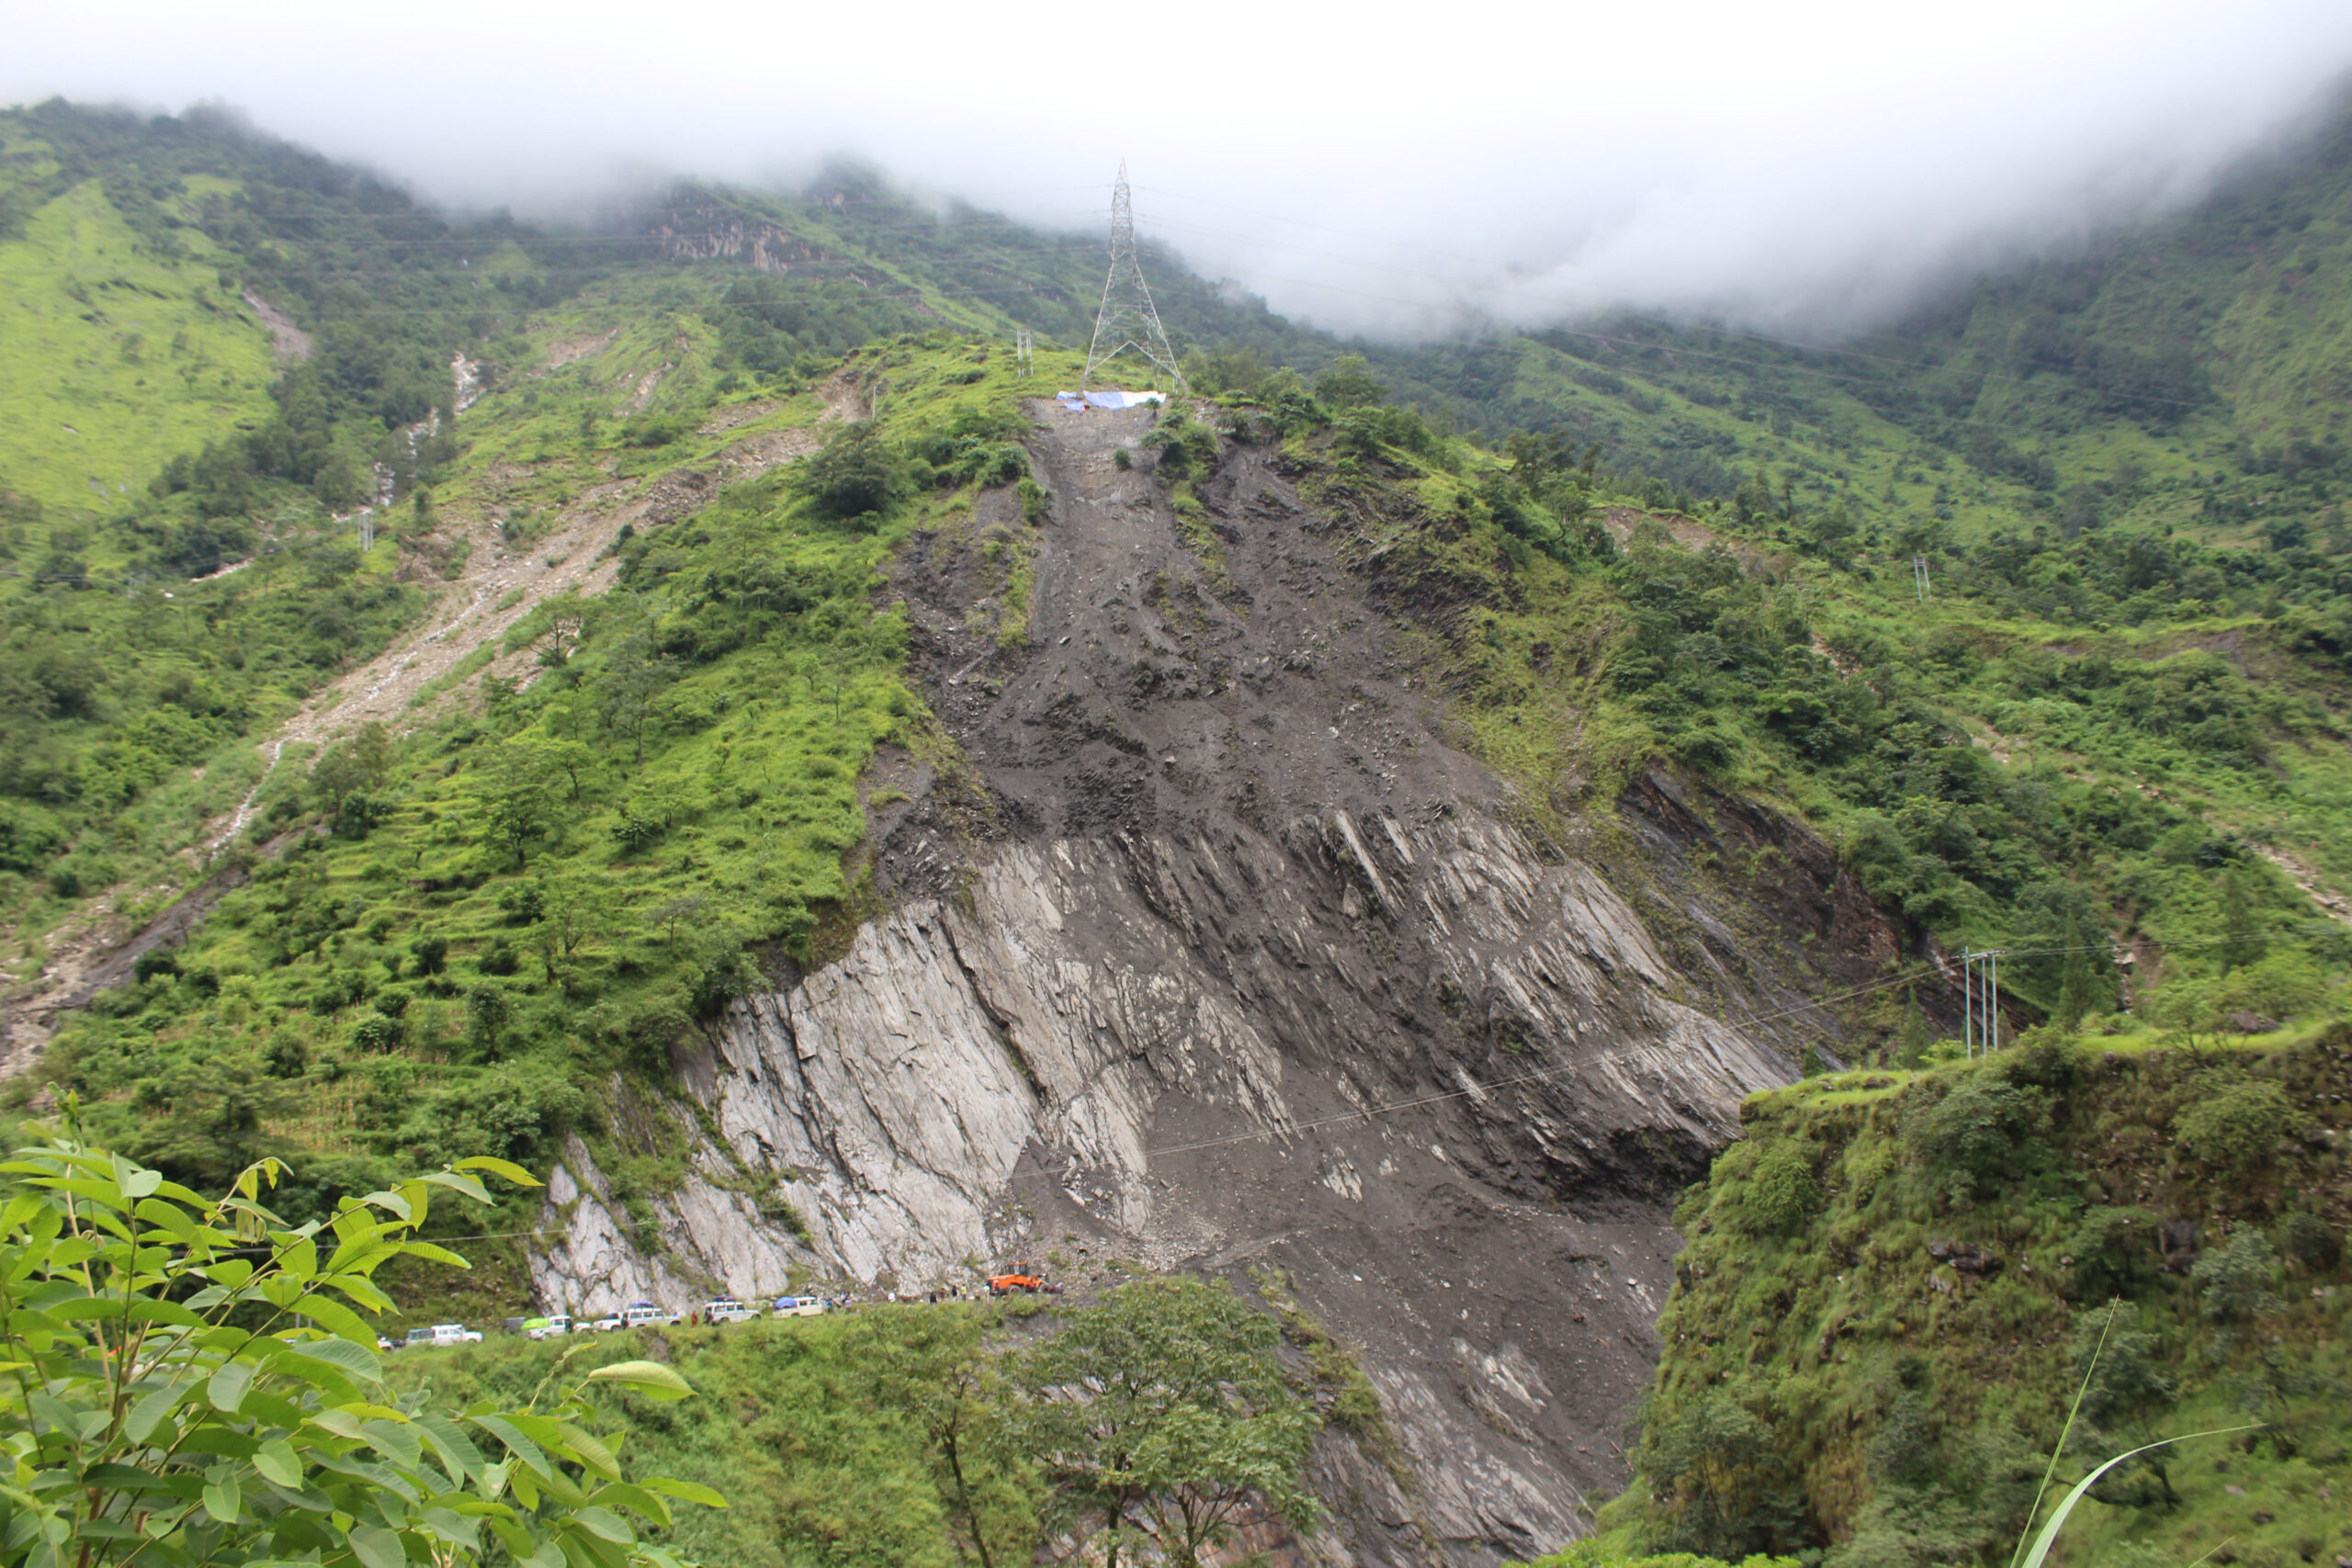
(1793, 166)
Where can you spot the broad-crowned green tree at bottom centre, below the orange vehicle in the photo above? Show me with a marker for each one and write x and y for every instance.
(1168, 1409)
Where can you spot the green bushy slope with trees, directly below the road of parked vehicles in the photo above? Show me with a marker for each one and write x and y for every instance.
(921, 1438)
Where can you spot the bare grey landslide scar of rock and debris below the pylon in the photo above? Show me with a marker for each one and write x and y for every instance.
(1255, 972)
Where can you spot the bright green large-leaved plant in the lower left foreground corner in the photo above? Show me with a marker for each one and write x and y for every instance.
(192, 1381)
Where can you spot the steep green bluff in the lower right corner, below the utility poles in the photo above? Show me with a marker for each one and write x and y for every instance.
(1897, 1287)
